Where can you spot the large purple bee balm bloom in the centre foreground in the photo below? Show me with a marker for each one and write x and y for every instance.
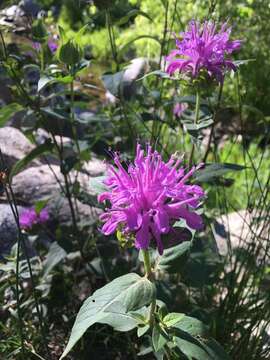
(148, 197)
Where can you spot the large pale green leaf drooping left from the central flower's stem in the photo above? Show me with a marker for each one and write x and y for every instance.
(131, 291)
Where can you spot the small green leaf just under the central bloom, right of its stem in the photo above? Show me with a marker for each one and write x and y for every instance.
(175, 257)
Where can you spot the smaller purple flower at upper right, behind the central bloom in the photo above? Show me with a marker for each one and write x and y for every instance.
(203, 48)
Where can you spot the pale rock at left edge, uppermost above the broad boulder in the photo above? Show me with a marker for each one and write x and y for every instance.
(15, 146)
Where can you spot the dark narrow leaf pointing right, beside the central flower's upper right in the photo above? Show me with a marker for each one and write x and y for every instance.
(215, 170)
